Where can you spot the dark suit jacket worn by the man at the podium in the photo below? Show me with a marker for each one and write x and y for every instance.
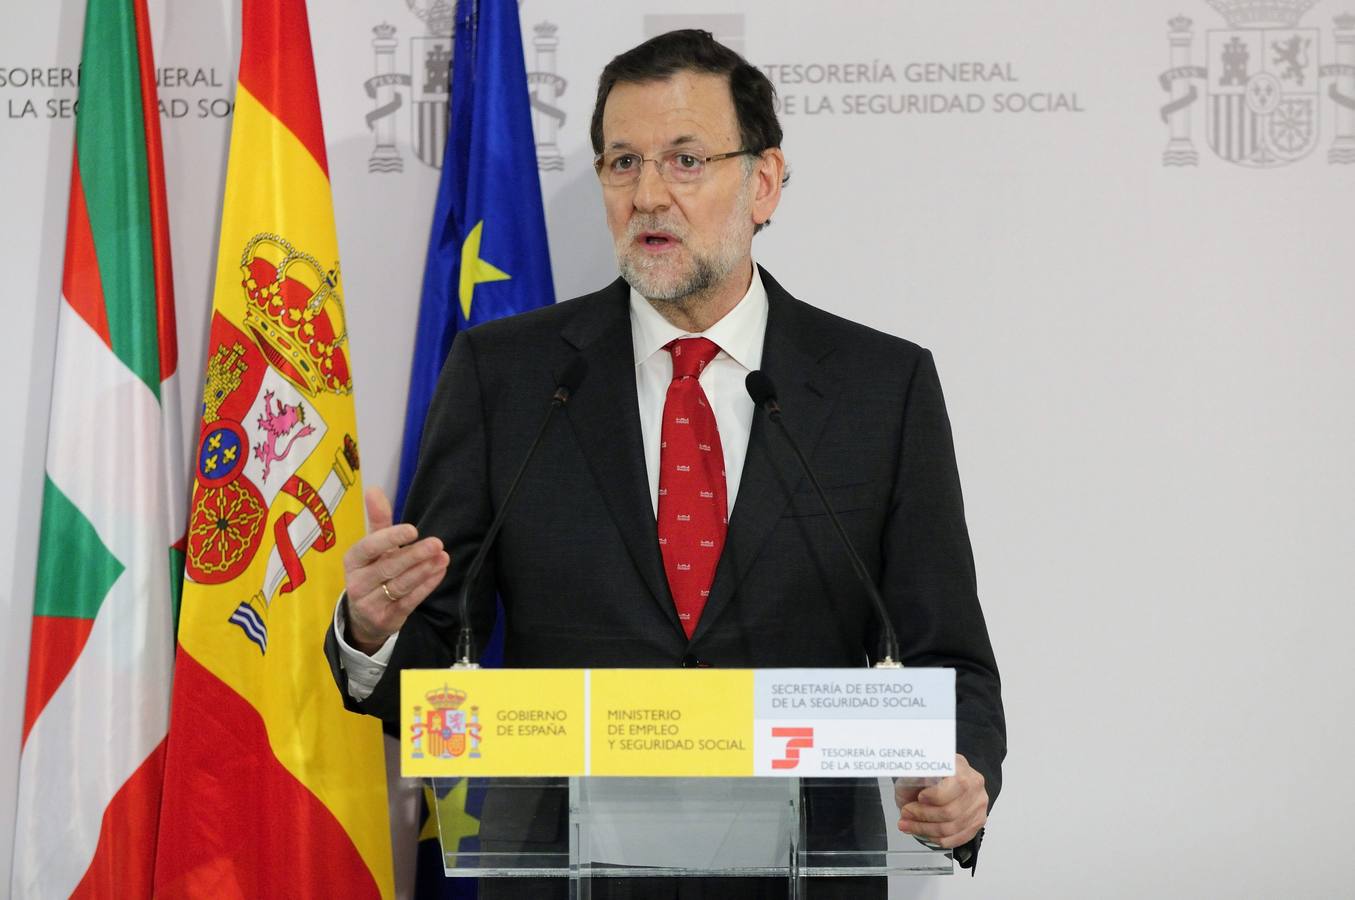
(578, 562)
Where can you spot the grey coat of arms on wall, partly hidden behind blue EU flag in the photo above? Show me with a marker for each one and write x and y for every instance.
(429, 86)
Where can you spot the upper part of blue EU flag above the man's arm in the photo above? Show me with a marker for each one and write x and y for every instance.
(487, 254)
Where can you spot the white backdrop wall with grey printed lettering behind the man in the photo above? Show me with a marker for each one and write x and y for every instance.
(1147, 365)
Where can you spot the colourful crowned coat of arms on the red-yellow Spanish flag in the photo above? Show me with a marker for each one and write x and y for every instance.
(261, 424)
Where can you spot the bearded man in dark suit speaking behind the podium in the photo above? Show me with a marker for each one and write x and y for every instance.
(593, 563)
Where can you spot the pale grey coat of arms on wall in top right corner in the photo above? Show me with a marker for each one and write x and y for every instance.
(1264, 86)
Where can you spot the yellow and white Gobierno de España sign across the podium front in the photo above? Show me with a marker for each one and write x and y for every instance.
(678, 723)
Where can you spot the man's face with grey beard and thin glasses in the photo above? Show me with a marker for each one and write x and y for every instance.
(680, 241)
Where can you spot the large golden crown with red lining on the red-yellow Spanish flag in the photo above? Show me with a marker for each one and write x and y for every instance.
(296, 314)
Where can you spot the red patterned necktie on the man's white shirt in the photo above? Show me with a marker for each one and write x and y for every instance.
(693, 510)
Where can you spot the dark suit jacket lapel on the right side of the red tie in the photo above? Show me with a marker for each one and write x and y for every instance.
(792, 356)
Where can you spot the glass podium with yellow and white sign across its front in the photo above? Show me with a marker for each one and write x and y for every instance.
(678, 773)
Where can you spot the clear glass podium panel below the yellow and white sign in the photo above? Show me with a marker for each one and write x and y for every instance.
(586, 829)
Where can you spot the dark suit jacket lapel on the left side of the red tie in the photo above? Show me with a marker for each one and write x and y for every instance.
(606, 418)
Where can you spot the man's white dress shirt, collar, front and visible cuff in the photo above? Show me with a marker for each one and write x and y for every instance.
(739, 335)
